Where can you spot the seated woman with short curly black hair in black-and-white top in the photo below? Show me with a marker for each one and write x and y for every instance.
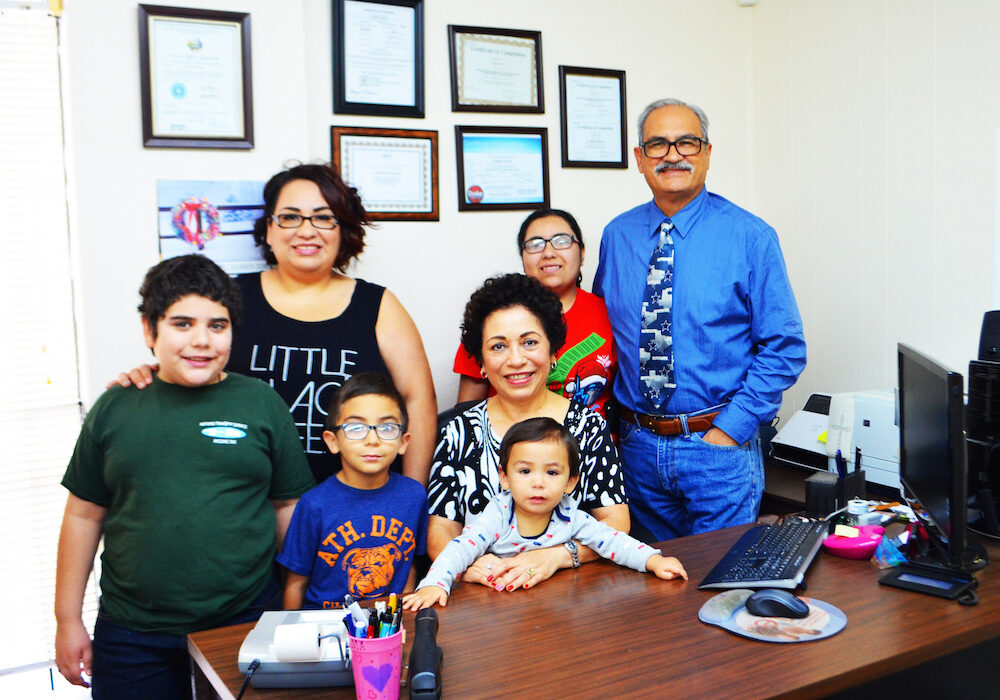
(512, 326)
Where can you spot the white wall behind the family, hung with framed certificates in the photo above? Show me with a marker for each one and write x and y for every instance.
(694, 50)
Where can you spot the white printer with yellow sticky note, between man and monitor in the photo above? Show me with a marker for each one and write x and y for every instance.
(845, 421)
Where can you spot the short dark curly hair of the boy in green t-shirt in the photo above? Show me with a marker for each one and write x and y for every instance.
(176, 278)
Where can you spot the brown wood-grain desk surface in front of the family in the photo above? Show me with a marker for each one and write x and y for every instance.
(604, 631)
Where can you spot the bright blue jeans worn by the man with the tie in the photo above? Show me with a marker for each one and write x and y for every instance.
(681, 485)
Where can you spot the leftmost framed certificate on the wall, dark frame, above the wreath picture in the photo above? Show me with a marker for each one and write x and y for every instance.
(195, 78)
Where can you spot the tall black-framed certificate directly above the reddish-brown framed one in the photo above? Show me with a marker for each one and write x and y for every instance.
(378, 57)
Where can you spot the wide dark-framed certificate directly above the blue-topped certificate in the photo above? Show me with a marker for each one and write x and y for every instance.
(495, 70)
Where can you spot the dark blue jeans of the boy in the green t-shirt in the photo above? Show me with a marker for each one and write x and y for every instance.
(133, 665)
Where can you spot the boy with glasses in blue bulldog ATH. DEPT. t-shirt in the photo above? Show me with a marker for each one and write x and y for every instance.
(359, 531)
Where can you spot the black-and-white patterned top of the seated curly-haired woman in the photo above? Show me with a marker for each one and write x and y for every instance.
(465, 474)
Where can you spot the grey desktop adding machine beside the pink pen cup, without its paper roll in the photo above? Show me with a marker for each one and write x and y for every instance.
(333, 669)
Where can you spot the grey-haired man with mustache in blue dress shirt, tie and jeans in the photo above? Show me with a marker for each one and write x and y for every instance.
(707, 331)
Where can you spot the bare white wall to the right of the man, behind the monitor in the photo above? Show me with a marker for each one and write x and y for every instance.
(874, 130)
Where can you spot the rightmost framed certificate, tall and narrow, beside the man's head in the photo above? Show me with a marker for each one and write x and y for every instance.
(592, 117)
